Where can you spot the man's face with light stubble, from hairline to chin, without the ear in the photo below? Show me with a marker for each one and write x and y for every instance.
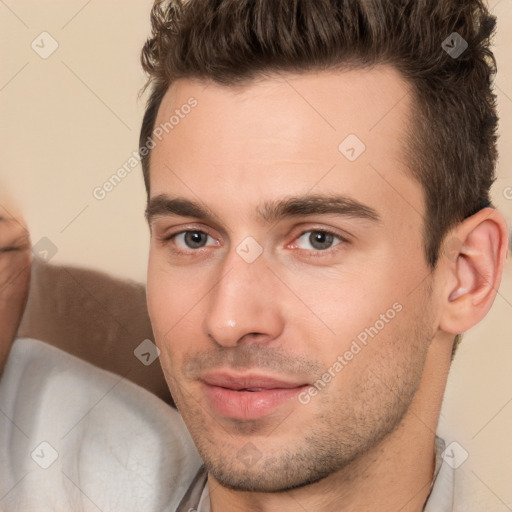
(287, 284)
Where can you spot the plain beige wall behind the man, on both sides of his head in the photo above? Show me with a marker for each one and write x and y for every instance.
(70, 121)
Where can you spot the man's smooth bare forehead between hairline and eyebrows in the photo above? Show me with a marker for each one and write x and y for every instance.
(289, 134)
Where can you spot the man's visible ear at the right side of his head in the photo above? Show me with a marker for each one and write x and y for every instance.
(473, 258)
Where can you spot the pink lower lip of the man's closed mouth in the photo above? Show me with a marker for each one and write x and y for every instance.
(248, 405)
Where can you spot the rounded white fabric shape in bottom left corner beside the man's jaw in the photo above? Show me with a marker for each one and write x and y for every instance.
(89, 435)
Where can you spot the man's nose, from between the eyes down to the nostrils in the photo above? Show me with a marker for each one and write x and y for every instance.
(243, 306)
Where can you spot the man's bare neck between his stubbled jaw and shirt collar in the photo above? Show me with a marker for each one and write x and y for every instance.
(396, 474)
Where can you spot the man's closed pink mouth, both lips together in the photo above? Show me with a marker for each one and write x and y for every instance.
(248, 397)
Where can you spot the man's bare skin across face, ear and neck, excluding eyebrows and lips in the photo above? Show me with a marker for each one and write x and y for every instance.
(298, 306)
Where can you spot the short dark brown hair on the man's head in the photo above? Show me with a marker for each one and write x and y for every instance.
(451, 143)
